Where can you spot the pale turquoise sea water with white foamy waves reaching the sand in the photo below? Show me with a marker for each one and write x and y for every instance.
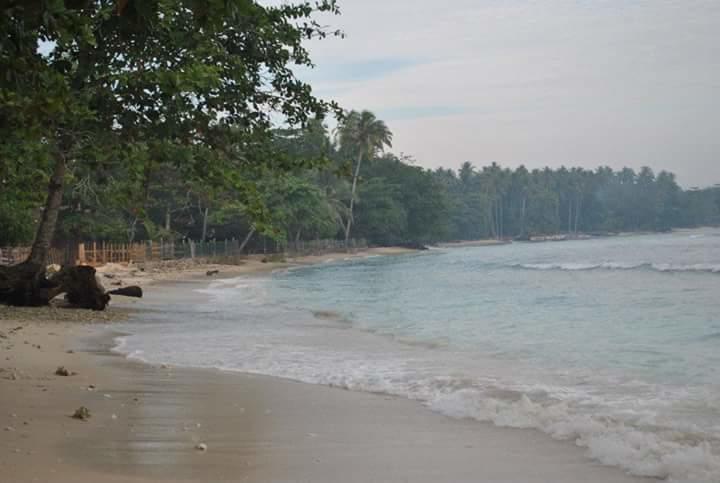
(611, 343)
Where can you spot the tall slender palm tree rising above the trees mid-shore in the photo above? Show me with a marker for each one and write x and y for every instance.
(365, 133)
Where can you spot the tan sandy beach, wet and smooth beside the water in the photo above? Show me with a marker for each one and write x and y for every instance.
(147, 421)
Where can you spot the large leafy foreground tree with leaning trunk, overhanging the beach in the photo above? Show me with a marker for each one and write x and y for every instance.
(190, 83)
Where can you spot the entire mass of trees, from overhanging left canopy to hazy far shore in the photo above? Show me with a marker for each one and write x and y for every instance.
(149, 120)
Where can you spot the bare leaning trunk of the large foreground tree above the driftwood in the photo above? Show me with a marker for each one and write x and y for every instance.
(46, 228)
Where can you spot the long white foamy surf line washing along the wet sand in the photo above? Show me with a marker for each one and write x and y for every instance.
(627, 441)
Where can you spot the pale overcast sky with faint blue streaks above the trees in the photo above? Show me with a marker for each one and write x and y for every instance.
(539, 83)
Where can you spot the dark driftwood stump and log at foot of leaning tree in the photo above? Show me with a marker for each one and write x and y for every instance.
(27, 284)
